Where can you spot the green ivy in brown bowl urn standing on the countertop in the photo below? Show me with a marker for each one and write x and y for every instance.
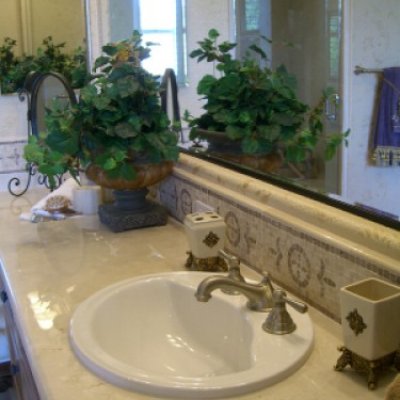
(117, 133)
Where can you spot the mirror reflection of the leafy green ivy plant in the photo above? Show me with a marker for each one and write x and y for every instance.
(253, 113)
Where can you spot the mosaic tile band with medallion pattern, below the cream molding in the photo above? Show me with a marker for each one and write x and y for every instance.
(304, 264)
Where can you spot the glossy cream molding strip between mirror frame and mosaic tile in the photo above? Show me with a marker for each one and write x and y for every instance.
(343, 230)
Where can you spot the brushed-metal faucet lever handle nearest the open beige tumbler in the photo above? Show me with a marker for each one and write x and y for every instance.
(279, 321)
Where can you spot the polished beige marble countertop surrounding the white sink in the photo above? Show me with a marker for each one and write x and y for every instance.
(51, 267)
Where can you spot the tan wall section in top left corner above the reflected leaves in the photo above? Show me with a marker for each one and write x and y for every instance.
(29, 22)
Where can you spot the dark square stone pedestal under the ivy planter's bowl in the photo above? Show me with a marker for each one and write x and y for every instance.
(131, 210)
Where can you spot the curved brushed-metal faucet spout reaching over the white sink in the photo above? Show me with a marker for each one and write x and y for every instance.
(259, 295)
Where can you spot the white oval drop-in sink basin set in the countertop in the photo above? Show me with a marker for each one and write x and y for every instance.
(150, 334)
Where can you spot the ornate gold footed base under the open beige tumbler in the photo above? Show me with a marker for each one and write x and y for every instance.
(370, 368)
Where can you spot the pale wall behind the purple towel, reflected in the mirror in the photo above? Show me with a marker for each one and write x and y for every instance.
(374, 43)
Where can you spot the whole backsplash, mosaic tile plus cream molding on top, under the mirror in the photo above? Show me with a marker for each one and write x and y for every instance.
(311, 253)
